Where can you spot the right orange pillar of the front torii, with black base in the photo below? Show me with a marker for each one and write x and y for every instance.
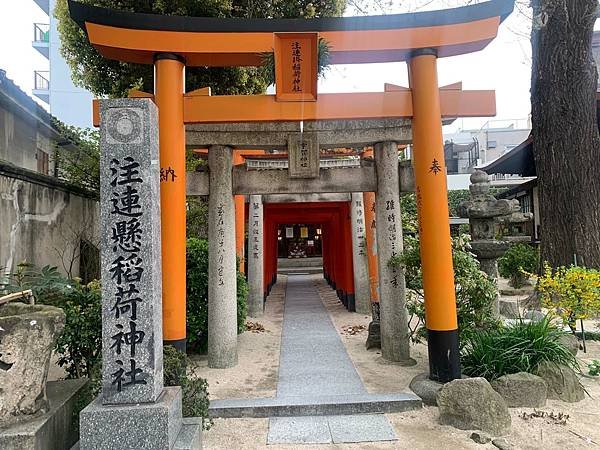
(434, 228)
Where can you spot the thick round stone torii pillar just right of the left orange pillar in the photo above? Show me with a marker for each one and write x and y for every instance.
(222, 277)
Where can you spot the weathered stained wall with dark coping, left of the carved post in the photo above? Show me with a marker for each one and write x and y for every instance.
(46, 222)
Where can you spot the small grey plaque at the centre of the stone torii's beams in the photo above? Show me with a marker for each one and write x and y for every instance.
(303, 155)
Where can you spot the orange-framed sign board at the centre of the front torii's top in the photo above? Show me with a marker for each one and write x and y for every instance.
(296, 63)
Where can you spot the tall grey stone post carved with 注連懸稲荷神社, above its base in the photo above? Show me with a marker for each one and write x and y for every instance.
(130, 252)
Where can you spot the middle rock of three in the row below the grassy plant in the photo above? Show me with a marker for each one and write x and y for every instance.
(521, 390)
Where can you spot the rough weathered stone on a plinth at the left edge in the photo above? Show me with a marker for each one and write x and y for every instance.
(27, 337)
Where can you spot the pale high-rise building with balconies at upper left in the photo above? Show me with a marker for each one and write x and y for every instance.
(53, 85)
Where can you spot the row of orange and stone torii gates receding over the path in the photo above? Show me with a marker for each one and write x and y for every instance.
(300, 120)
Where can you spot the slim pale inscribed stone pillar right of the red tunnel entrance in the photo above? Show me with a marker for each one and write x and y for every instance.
(359, 255)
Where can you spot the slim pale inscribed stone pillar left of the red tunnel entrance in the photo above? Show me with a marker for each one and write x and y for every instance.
(255, 257)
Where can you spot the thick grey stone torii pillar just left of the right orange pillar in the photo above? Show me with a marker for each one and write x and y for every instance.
(395, 344)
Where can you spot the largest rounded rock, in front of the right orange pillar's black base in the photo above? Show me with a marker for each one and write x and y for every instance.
(472, 404)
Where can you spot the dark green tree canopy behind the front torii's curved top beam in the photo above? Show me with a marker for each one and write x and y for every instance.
(113, 78)
